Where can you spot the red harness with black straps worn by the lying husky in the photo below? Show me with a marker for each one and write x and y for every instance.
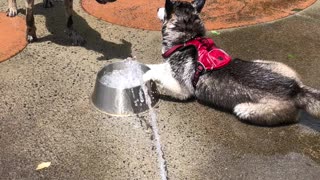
(210, 57)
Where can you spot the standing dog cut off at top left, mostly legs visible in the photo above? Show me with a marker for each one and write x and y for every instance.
(31, 28)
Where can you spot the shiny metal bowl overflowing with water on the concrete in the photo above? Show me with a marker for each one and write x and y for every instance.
(122, 102)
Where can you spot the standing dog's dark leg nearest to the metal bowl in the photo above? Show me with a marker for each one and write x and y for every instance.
(75, 37)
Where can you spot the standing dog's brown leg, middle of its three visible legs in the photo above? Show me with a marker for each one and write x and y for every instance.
(31, 28)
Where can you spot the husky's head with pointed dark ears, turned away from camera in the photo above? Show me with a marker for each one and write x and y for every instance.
(181, 21)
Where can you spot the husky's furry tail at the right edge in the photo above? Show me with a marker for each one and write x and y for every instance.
(309, 100)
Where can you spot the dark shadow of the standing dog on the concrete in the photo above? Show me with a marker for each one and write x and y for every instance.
(56, 25)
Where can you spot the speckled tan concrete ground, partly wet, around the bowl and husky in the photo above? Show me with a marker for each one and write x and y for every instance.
(46, 114)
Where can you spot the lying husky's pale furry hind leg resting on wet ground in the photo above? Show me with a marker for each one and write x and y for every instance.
(267, 112)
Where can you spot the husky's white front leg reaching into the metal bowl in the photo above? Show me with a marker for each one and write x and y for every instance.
(161, 74)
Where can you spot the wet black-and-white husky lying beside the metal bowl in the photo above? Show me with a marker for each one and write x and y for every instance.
(258, 92)
